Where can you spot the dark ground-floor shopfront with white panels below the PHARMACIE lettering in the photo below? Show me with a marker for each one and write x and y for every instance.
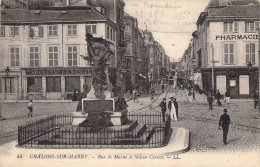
(240, 82)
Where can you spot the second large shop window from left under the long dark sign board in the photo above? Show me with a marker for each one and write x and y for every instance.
(53, 84)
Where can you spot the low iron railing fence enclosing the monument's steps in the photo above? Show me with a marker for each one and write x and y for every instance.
(146, 130)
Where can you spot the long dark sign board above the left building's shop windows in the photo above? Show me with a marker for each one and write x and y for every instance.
(58, 71)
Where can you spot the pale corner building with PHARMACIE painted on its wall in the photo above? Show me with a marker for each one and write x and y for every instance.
(228, 46)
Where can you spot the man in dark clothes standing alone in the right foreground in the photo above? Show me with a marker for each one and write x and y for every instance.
(224, 122)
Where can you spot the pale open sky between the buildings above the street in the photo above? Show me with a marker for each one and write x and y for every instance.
(171, 21)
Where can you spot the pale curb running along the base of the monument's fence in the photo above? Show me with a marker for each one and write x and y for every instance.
(171, 149)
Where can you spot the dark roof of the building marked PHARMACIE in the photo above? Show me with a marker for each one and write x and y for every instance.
(252, 11)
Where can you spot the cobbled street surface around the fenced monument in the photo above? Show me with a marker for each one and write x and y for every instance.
(203, 124)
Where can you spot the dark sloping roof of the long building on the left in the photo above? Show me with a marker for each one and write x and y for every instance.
(47, 16)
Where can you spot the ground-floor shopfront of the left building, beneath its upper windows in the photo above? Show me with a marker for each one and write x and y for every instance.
(44, 83)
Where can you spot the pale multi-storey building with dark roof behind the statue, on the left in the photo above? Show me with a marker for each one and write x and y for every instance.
(41, 51)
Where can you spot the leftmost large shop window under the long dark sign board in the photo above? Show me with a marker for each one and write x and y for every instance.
(34, 84)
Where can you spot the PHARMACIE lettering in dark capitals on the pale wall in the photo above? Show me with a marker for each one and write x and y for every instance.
(237, 37)
